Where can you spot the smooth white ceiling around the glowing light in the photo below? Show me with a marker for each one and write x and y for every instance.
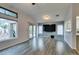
(37, 11)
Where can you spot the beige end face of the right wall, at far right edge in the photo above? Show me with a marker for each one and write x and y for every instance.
(75, 10)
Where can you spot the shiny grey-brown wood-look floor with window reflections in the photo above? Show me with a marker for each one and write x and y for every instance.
(40, 46)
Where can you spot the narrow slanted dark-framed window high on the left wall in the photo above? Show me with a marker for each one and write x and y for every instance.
(8, 12)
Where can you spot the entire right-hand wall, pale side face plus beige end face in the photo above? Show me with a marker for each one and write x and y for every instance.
(70, 37)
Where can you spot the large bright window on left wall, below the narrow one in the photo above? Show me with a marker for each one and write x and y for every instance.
(8, 29)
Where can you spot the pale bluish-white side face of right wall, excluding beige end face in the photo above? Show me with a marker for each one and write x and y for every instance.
(68, 35)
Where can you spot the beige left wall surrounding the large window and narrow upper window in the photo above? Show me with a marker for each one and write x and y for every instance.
(23, 23)
